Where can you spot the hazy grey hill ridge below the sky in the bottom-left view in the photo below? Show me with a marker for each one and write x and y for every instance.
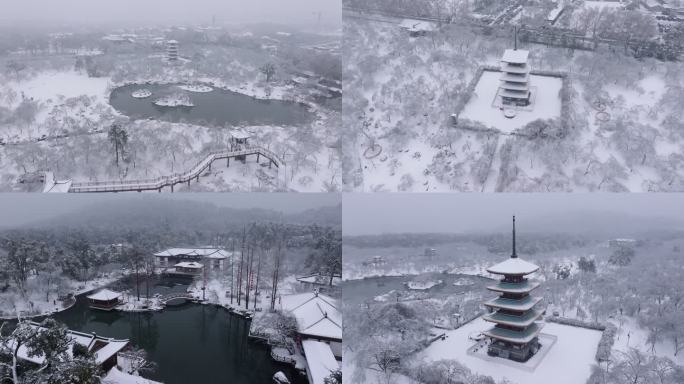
(181, 214)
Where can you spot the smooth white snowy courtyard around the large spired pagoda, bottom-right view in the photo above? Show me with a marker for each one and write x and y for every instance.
(568, 361)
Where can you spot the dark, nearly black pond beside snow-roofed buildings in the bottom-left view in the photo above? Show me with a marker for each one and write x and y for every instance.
(190, 343)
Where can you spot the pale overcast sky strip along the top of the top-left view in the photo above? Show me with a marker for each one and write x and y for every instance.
(171, 11)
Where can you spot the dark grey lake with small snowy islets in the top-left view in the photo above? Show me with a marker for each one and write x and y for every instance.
(217, 108)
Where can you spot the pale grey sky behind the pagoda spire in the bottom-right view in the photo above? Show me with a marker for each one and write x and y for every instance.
(464, 212)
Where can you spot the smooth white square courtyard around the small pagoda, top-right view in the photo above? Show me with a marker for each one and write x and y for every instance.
(481, 107)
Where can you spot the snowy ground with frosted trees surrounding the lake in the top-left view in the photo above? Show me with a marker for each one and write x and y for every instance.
(65, 119)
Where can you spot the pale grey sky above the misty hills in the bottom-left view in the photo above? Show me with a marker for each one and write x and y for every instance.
(23, 208)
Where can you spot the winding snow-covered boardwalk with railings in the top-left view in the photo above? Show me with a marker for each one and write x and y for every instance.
(170, 181)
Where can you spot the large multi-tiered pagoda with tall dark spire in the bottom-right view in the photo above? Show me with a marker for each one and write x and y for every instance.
(515, 332)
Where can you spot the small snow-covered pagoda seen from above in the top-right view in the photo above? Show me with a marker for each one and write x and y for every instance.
(515, 87)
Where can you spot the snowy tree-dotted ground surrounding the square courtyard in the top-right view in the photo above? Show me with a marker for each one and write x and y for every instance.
(621, 131)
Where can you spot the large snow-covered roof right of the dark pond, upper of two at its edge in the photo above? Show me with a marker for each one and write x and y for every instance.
(317, 315)
